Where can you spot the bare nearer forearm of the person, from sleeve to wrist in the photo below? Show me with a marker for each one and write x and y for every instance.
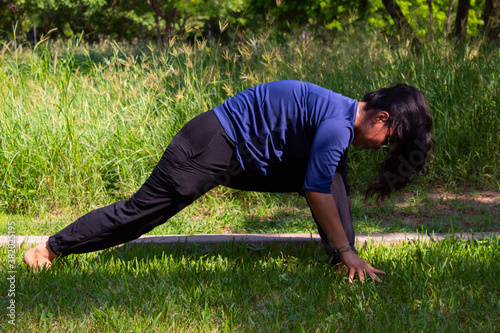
(325, 210)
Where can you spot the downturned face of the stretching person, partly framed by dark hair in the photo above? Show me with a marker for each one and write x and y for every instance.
(373, 132)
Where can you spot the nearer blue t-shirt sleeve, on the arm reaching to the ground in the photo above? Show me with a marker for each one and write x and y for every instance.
(330, 143)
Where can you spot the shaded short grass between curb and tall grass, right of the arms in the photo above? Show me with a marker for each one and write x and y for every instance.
(433, 211)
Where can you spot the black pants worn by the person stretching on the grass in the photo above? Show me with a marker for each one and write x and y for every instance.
(200, 157)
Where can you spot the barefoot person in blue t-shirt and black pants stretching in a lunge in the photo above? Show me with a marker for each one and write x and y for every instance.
(285, 136)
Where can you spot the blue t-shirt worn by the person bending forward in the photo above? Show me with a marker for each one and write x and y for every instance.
(280, 122)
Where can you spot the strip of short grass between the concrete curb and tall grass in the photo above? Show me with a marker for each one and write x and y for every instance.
(227, 211)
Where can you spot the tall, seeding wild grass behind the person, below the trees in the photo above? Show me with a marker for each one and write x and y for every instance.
(82, 126)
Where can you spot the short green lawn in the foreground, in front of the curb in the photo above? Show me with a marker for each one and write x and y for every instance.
(448, 286)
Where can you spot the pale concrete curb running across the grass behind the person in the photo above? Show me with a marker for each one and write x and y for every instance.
(264, 239)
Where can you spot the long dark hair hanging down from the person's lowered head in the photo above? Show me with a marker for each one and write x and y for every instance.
(411, 141)
